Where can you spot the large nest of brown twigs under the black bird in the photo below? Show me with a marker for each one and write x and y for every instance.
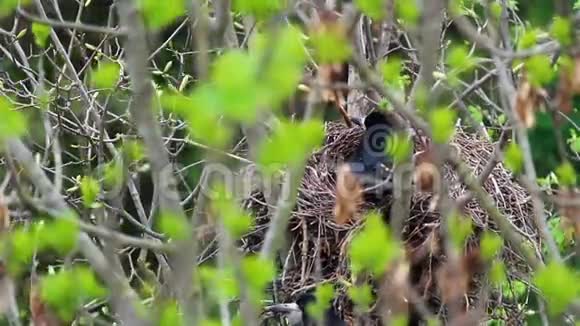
(318, 249)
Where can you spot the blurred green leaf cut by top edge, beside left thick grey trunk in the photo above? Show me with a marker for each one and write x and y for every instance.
(161, 13)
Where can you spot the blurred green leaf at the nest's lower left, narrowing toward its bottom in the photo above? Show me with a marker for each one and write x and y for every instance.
(257, 272)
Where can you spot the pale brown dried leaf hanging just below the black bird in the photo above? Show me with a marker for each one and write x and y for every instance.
(348, 195)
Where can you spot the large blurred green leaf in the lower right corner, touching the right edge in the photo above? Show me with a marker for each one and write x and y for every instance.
(559, 286)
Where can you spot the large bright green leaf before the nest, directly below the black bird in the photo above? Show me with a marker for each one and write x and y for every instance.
(373, 248)
